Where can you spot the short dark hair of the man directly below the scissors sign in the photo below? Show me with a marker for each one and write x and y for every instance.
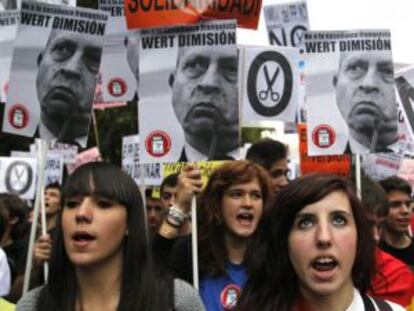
(266, 153)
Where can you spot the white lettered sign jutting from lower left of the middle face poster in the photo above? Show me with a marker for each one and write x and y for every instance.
(143, 174)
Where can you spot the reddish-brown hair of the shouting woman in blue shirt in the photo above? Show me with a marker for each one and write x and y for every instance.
(213, 253)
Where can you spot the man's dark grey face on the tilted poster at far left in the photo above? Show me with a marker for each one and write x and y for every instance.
(65, 82)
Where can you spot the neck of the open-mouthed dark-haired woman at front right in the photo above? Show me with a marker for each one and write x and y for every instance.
(339, 301)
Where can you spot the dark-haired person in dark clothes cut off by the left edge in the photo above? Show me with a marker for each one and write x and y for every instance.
(15, 241)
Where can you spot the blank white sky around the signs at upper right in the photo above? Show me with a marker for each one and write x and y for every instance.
(396, 15)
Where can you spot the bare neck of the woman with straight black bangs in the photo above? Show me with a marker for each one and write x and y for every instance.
(99, 286)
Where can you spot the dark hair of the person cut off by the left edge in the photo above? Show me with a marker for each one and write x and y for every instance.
(17, 208)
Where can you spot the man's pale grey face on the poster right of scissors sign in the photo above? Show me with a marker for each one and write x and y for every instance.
(365, 91)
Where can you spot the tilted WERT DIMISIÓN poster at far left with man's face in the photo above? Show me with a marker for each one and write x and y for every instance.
(55, 63)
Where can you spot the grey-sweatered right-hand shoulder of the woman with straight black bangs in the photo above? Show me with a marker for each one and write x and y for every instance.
(186, 297)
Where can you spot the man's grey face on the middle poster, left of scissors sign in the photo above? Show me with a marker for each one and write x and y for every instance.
(204, 94)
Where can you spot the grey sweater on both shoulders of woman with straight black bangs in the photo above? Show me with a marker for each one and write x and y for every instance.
(186, 298)
